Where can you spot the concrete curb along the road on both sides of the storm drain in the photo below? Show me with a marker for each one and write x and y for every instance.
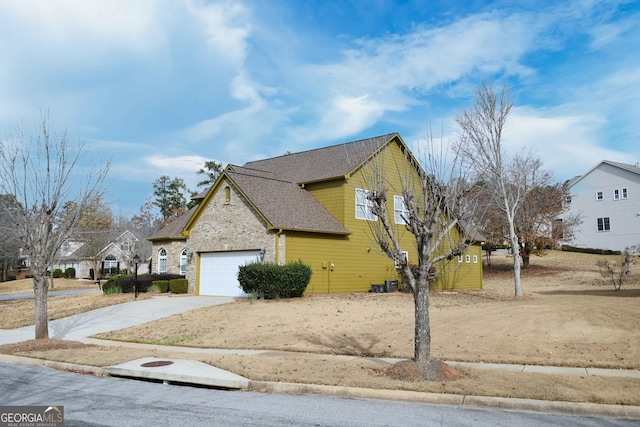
(462, 401)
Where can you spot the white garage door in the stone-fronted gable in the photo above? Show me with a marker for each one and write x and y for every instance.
(219, 272)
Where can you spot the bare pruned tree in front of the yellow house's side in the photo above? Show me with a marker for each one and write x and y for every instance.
(435, 203)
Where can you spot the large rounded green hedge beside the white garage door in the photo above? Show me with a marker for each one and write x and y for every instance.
(275, 281)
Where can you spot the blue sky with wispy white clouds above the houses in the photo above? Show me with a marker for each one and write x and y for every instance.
(161, 86)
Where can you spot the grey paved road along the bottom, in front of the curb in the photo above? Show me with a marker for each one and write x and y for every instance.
(91, 401)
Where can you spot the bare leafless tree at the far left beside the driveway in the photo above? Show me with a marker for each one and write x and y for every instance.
(43, 172)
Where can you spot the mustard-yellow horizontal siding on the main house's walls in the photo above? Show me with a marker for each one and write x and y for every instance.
(353, 263)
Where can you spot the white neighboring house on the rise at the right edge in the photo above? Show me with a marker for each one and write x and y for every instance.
(607, 198)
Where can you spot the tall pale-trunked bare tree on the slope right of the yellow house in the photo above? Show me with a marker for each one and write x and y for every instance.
(507, 178)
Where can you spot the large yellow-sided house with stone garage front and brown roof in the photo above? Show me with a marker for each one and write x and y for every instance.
(308, 206)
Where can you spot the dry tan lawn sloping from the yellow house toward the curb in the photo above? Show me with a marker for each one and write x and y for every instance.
(568, 317)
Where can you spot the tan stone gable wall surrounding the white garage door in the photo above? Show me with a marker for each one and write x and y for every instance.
(228, 226)
